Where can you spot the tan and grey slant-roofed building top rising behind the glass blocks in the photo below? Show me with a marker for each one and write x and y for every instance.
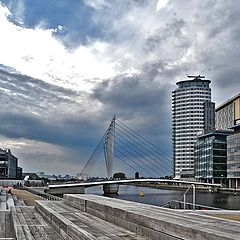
(228, 113)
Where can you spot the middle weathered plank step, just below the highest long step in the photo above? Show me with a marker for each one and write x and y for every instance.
(69, 221)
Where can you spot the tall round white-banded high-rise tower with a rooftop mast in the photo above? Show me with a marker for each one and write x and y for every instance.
(188, 113)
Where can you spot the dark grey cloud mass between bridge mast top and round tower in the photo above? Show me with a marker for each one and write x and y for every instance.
(141, 100)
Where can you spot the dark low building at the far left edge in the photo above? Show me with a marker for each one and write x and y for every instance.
(8, 165)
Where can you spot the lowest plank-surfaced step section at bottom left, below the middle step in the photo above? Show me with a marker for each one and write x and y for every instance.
(30, 225)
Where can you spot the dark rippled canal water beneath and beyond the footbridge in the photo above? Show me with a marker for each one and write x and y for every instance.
(159, 197)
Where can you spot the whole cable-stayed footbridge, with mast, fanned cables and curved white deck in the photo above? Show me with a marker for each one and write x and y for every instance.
(121, 143)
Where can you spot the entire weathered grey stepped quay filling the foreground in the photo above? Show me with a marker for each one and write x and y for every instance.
(92, 217)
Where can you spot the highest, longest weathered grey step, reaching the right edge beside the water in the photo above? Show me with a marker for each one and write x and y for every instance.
(155, 222)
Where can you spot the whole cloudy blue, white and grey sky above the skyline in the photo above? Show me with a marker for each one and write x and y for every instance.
(66, 67)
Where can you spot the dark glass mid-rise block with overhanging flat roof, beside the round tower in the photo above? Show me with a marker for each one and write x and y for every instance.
(211, 157)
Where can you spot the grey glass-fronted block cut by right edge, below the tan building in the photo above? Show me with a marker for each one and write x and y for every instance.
(233, 157)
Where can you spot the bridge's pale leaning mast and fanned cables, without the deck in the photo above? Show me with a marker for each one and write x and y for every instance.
(122, 144)
